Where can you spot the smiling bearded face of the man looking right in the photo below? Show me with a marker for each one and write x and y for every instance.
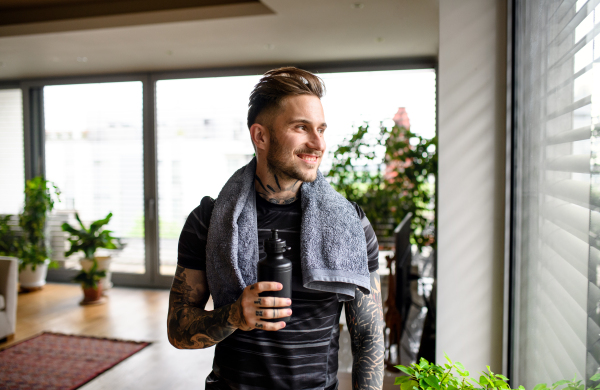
(297, 140)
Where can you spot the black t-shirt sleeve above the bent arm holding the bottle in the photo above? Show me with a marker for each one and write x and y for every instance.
(191, 251)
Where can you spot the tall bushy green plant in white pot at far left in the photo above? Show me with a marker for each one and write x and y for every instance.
(33, 253)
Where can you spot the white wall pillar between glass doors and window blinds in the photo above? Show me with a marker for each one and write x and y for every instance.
(472, 112)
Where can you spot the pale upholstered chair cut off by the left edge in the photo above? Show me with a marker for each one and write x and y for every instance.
(8, 297)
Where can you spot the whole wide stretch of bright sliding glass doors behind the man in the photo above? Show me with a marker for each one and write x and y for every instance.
(149, 149)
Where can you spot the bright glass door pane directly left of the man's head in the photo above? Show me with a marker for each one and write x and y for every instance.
(202, 139)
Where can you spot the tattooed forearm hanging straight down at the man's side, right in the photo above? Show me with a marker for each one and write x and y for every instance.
(364, 316)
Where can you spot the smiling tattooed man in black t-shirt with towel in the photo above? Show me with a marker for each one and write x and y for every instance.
(334, 253)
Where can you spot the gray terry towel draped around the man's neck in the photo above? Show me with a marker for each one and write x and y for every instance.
(333, 246)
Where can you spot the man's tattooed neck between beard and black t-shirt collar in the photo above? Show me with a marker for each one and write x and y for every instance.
(276, 188)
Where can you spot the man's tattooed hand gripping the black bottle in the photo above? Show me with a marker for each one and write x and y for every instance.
(249, 311)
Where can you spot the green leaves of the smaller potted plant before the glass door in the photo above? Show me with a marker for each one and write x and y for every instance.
(88, 241)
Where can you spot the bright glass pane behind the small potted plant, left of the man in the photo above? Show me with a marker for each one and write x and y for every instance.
(94, 155)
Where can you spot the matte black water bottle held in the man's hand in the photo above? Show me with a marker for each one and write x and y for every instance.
(276, 268)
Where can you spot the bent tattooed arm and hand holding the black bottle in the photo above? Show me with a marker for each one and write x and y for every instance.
(190, 326)
